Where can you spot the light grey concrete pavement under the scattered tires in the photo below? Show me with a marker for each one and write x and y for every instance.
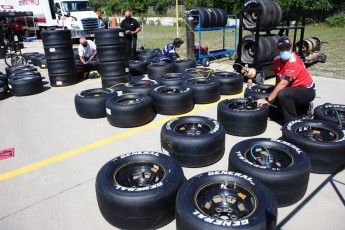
(50, 181)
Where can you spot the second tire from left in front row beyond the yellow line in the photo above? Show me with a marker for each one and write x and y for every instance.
(129, 110)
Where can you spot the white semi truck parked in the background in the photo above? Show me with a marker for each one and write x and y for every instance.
(75, 15)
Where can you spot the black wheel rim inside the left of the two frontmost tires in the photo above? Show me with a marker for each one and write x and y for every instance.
(139, 174)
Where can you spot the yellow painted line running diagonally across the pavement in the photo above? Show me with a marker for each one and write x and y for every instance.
(96, 144)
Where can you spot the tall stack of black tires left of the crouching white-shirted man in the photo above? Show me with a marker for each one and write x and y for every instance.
(60, 59)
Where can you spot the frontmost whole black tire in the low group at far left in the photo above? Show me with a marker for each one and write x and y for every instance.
(25, 85)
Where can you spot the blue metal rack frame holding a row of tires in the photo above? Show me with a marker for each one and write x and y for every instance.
(203, 59)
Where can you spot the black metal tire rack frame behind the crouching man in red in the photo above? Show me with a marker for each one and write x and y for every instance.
(265, 69)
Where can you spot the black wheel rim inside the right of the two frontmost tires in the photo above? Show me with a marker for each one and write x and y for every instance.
(226, 201)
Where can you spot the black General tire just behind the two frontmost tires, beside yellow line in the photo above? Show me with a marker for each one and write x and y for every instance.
(194, 141)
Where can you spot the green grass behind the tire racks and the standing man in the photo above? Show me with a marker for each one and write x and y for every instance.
(334, 47)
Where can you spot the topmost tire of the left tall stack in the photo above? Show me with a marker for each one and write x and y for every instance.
(56, 37)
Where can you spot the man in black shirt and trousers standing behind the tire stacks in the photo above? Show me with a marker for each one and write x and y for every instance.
(132, 28)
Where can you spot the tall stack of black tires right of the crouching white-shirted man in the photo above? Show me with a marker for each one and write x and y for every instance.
(112, 57)
